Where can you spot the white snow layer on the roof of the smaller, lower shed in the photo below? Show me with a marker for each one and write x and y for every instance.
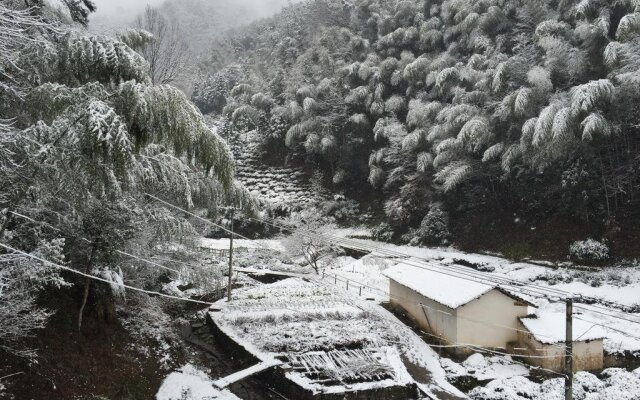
(549, 328)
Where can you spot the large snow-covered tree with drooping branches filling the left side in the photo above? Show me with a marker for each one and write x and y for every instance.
(87, 137)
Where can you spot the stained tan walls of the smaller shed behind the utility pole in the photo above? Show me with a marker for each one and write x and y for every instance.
(587, 356)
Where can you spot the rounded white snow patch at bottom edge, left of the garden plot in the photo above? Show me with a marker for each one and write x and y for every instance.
(190, 383)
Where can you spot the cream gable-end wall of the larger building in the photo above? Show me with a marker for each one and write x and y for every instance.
(491, 320)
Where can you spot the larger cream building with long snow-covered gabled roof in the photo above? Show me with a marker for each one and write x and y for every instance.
(455, 309)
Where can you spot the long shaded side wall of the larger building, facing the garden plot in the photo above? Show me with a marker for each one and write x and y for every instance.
(439, 319)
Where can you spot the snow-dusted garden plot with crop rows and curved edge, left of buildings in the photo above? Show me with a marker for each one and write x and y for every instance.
(327, 342)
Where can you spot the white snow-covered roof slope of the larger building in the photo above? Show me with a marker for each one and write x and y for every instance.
(448, 290)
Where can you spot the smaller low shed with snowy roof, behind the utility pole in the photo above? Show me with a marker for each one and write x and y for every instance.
(544, 336)
